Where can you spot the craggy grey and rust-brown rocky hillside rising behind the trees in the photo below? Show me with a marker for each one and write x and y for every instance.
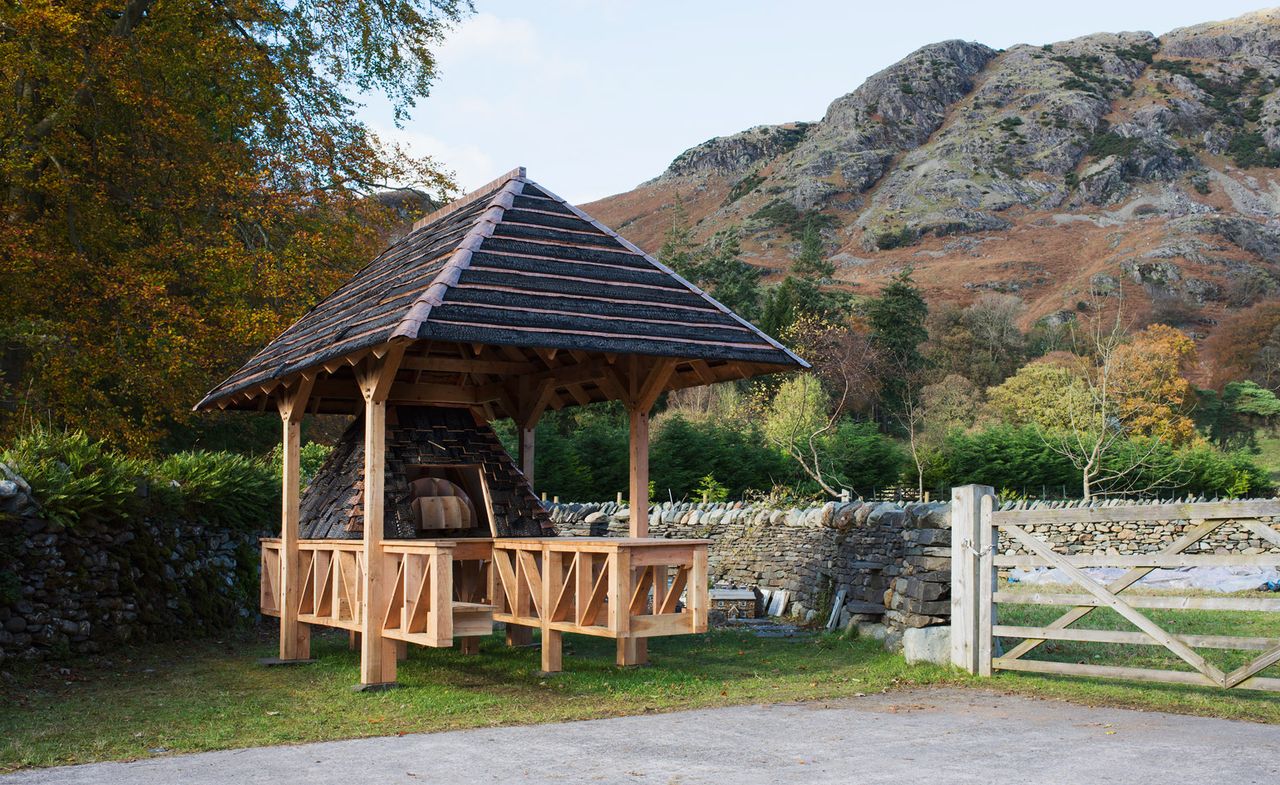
(1114, 165)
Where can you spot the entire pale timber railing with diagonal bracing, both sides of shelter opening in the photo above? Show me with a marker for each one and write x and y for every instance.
(623, 588)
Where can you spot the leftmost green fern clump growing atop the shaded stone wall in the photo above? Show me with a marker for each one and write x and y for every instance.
(74, 477)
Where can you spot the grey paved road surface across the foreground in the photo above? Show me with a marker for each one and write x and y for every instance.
(941, 737)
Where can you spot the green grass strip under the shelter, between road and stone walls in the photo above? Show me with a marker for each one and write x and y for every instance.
(200, 696)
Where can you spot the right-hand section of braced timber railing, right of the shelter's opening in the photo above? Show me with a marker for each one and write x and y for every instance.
(624, 588)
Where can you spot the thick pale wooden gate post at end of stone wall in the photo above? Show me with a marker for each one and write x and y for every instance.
(967, 542)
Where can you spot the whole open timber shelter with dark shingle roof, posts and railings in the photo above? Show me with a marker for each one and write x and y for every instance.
(506, 303)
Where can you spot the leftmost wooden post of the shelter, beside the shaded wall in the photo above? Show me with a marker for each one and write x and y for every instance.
(295, 637)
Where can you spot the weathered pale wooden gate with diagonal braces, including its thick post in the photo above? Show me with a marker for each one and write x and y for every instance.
(977, 528)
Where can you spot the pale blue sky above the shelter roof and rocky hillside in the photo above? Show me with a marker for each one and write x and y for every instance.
(598, 97)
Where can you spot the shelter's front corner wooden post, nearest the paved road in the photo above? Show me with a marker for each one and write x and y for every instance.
(377, 654)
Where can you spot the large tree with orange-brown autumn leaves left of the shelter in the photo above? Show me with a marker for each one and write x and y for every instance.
(182, 180)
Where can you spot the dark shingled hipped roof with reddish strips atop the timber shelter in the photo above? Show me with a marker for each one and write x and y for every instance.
(513, 264)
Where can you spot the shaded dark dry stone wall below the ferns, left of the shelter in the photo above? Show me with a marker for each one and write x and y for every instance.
(83, 590)
